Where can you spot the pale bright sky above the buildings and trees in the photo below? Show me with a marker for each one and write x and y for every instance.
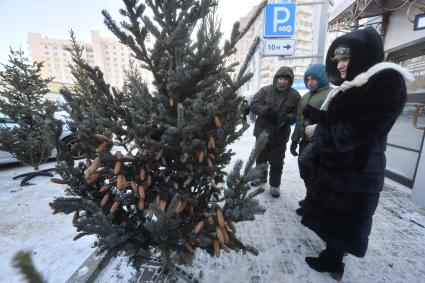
(55, 18)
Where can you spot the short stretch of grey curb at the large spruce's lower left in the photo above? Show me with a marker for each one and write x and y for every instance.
(90, 268)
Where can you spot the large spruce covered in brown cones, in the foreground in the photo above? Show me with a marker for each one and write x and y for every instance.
(164, 187)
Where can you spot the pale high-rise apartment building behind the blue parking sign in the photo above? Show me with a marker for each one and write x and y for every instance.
(269, 65)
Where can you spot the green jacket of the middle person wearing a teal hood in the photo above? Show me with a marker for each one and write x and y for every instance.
(316, 100)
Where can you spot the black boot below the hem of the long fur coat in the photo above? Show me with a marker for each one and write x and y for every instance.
(329, 260)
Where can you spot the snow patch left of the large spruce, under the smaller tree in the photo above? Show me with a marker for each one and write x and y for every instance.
(27, 223)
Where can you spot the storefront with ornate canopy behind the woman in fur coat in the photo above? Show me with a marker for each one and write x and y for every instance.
(404, 45)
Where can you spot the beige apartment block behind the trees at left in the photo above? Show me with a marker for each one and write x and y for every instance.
(111, 56)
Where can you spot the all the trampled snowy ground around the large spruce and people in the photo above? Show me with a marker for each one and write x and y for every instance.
(396, 249)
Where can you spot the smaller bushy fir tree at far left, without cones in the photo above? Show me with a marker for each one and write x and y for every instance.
(29, 130)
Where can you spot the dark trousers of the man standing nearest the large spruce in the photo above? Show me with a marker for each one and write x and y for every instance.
(274, 155)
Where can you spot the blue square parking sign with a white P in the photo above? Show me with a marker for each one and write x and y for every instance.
(280, 20)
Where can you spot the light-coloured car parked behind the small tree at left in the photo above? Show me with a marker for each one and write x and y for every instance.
(66, 136)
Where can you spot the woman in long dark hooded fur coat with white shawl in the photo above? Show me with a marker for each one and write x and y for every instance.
(350, 138)
